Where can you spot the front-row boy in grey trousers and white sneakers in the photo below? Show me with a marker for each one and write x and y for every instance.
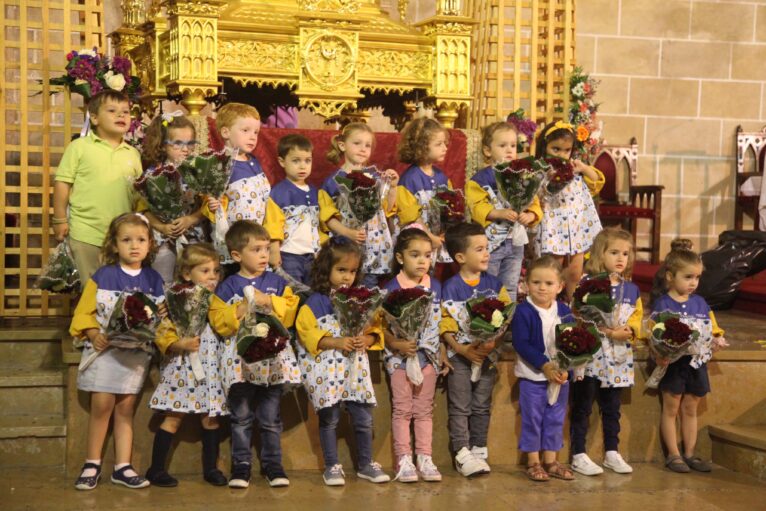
(468, 403)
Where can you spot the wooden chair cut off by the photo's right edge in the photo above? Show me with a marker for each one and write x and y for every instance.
(749, 145)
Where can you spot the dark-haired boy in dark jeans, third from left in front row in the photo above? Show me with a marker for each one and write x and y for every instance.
(254, 390)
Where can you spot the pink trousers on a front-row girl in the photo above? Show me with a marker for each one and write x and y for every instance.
(411, 402)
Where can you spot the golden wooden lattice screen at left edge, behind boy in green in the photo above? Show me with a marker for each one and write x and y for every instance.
(37, 35)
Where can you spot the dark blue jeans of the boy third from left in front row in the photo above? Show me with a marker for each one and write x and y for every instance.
(247, 403)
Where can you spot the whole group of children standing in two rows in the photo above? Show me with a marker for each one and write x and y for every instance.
(301, 229)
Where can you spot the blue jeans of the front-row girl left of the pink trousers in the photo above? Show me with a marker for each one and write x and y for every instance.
(361, 420)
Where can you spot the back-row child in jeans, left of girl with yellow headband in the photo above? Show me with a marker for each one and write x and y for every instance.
(506, 229)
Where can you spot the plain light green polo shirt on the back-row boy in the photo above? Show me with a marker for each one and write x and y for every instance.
(101, 189)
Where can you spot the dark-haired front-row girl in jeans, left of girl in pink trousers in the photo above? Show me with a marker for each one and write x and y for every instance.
(325, 358)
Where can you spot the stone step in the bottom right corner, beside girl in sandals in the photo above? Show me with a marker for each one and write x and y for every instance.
(740, 448)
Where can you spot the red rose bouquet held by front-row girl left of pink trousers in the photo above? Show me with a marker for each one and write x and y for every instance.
(355, 308)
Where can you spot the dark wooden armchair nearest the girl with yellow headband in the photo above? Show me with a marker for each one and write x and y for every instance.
(644, 202)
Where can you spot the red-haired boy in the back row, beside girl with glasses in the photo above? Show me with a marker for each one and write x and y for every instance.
(248, 189)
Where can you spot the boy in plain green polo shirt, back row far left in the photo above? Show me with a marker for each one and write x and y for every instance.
(91, 181)
